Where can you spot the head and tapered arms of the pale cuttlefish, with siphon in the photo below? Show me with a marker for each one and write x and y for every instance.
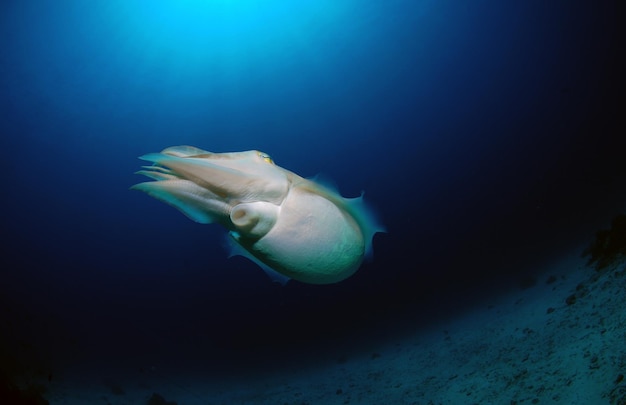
(218, 187)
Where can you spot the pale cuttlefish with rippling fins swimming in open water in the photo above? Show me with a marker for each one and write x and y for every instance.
(294, 228)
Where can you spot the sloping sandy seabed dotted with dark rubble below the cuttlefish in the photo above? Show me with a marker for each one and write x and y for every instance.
(560, 339)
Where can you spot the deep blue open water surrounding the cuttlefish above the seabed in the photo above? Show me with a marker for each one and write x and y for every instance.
(485, 134)
